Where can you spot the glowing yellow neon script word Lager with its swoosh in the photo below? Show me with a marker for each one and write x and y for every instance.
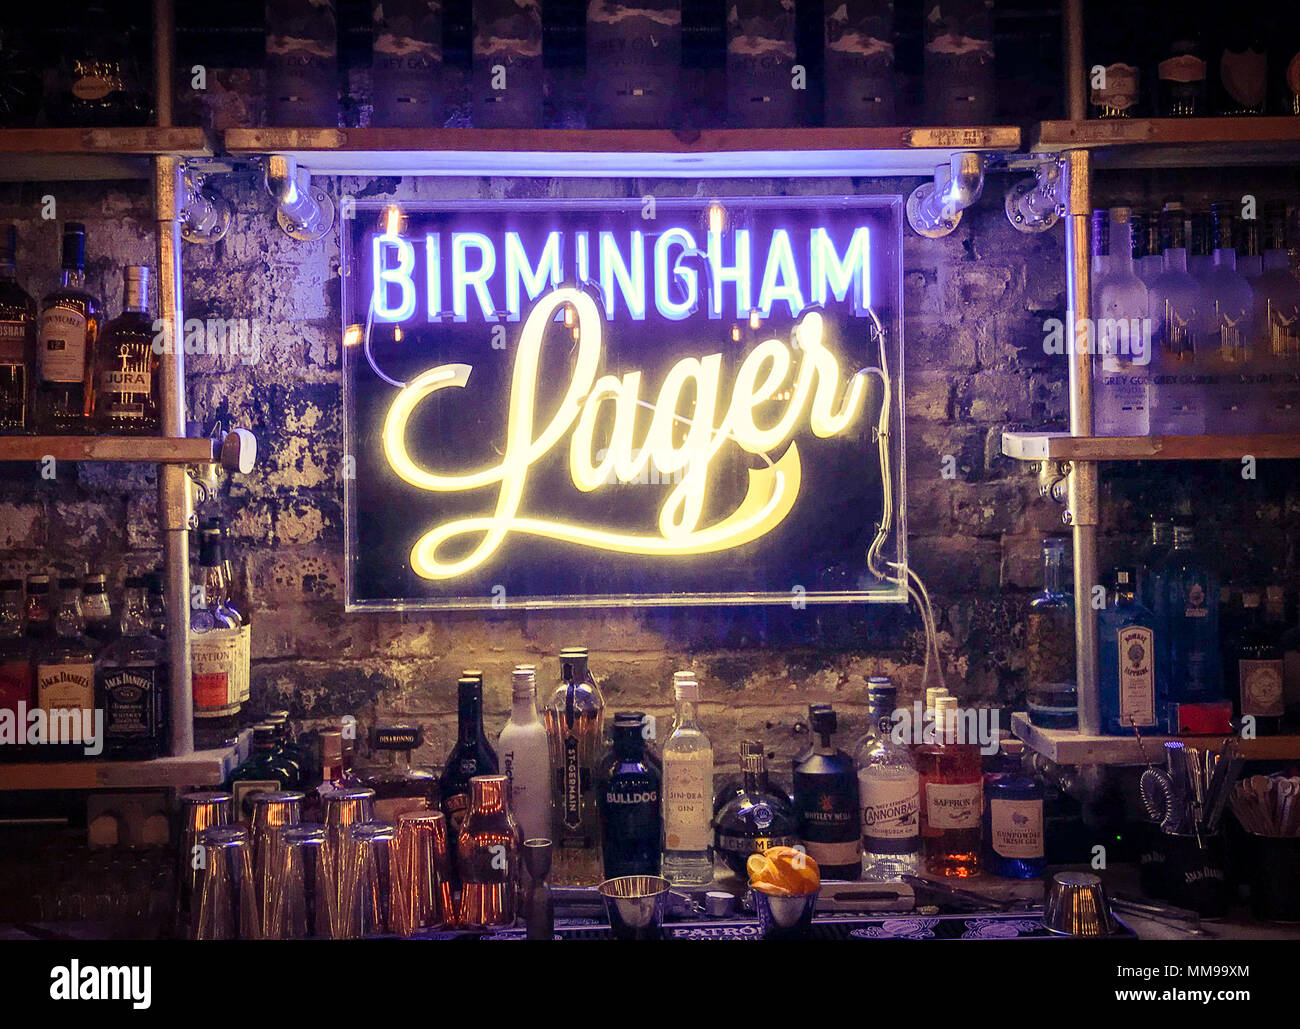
(772, 492)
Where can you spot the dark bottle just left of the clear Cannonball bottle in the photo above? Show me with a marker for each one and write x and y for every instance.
(826, 798)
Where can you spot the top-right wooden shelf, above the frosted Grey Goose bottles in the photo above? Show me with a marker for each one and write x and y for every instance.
(1175, 142)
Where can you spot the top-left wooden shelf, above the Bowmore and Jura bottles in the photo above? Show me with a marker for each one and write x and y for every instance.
(93, 154)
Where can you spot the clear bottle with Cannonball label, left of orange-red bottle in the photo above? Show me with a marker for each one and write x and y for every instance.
(890, 793)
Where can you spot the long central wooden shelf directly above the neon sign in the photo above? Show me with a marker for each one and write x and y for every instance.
(625, 153)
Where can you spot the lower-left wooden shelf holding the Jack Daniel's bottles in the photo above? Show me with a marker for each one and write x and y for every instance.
(202, 769)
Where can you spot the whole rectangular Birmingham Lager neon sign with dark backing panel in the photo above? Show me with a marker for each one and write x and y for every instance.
(584, 407)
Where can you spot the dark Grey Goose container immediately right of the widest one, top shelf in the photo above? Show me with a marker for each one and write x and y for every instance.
(761, 66)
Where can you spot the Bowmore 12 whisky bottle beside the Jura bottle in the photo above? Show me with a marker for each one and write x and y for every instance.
(70, 327)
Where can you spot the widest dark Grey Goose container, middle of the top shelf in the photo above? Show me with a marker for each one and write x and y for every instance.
(634, 63)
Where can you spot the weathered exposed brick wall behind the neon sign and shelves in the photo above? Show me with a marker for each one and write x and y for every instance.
(974, 310)
